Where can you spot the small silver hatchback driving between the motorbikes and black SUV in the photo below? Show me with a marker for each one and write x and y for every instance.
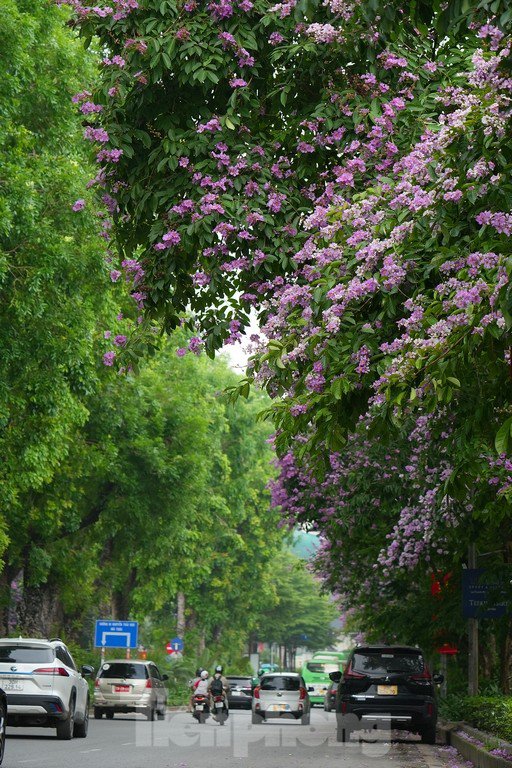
(281, 694)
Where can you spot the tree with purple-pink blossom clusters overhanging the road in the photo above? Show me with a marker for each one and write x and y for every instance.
(344, 168)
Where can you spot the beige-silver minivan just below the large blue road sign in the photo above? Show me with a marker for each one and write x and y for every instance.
(130, 686)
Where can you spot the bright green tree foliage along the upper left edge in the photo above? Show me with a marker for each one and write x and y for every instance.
(52, 280)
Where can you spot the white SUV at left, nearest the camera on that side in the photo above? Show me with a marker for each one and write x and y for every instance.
(43, 686)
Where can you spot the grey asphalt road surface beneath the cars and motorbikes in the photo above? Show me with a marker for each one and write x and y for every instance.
(179, 742)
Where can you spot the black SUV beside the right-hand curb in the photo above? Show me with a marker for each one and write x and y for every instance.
(389, 685)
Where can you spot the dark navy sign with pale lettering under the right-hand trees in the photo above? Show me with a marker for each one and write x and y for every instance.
(483, 596)
